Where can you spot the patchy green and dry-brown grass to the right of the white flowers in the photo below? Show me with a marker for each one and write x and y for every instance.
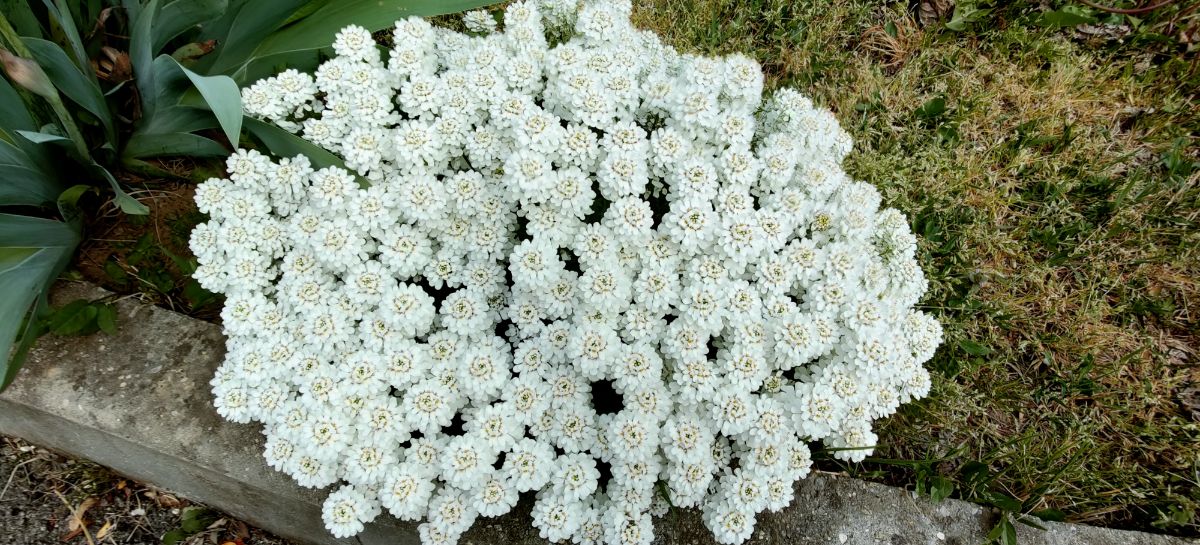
(1054, 183)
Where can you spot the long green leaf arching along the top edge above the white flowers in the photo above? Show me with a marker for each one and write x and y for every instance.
(316, 32)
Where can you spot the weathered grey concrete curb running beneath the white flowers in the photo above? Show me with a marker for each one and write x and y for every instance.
(140, 403)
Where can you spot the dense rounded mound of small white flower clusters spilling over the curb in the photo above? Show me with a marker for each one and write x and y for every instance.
(598, 271)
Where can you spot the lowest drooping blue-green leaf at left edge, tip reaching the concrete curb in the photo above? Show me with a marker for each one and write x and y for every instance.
(33, 253)
